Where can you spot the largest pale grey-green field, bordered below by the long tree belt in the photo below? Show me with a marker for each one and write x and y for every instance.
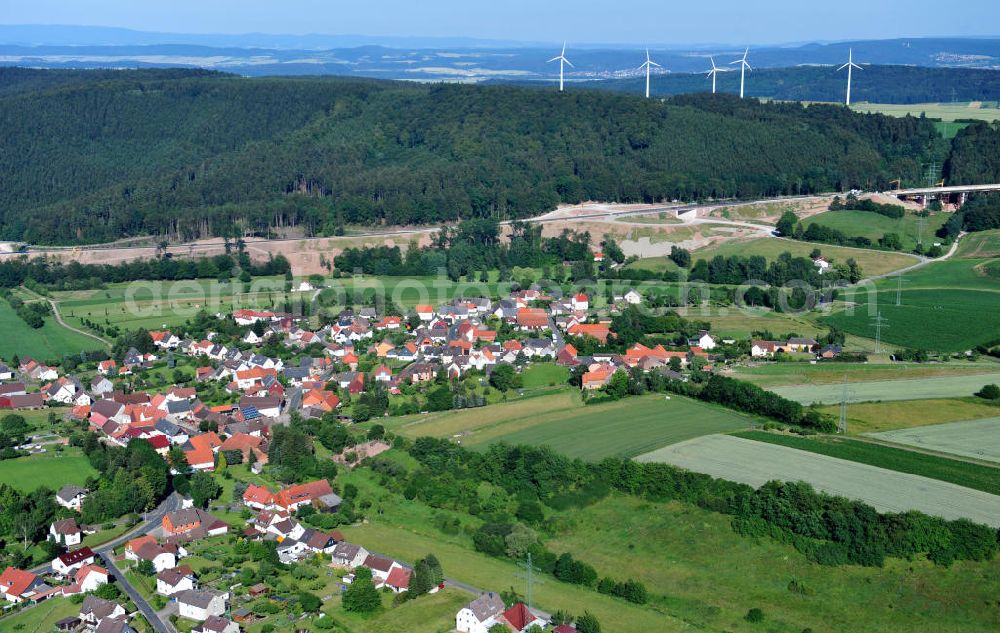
(756, 463)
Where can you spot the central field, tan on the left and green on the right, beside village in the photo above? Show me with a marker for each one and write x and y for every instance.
(625, 428)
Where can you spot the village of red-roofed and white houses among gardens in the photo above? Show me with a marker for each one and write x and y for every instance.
(341, 371)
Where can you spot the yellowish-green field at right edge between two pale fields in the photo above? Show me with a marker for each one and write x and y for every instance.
(873, 417)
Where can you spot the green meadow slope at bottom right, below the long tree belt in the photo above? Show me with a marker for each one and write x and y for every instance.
(675, 550)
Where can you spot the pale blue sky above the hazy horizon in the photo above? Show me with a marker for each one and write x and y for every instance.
(592, 21)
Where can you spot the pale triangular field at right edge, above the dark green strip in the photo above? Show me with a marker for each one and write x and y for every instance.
(979, 439)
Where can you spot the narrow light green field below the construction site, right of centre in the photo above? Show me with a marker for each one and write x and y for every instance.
(871, 262)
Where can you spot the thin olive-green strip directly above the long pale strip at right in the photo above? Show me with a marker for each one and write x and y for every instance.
(801, 374)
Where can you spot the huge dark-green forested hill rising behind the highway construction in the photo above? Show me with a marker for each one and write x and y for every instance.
(199, 155)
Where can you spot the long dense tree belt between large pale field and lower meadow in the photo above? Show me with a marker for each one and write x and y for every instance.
(829, 530)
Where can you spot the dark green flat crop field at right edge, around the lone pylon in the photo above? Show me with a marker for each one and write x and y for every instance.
(938, 320)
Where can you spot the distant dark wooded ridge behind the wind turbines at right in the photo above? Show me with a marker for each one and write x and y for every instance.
(875, 84)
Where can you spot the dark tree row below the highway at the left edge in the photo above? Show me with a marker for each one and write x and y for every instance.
(55, 275)
